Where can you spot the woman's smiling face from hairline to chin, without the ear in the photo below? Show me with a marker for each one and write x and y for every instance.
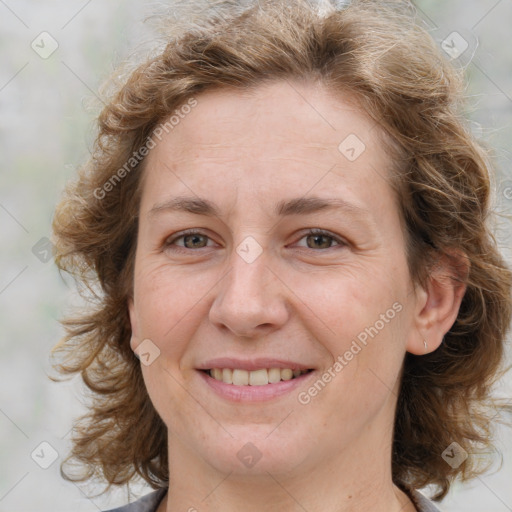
(249, 175)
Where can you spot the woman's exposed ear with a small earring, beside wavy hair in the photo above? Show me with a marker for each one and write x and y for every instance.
(437, 305)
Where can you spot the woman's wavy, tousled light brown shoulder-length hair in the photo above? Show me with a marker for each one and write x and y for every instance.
(377, 52)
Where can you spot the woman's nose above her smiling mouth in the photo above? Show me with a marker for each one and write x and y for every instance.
(251, 301)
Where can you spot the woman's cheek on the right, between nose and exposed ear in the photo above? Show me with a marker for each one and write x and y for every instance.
(359, 315)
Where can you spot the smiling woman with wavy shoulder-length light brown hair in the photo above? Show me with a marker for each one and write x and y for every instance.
(301, 306)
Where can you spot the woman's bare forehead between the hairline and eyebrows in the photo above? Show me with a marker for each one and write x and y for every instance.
(276, 136)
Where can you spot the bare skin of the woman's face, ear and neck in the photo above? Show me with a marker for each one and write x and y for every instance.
(304, 299)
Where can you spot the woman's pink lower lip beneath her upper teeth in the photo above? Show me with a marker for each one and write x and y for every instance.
(254, 393)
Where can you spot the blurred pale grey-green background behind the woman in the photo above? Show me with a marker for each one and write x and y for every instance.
(54, 55)
